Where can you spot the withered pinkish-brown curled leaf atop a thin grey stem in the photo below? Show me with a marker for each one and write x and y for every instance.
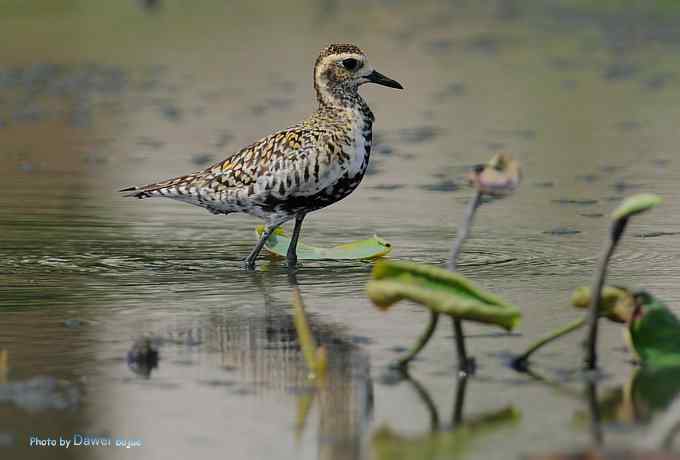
(499, 177)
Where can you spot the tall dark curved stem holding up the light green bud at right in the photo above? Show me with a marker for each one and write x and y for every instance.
(617, 228)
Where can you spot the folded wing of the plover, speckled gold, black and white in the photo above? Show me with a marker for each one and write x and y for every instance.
(298, 161)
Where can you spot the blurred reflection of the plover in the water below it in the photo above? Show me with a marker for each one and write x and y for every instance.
(260, 344)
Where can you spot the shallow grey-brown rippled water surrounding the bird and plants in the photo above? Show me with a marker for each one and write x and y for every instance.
(96, 96)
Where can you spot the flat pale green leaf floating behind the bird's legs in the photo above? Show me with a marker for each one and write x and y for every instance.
(367, 249)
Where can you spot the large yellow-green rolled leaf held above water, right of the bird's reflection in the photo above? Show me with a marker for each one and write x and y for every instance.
(440, 291)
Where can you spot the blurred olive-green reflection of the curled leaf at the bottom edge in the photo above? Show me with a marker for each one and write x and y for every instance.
(387, 444)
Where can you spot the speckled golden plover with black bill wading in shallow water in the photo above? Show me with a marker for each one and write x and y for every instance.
(301, 169)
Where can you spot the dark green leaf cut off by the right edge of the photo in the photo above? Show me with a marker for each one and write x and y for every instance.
(655, 332)
